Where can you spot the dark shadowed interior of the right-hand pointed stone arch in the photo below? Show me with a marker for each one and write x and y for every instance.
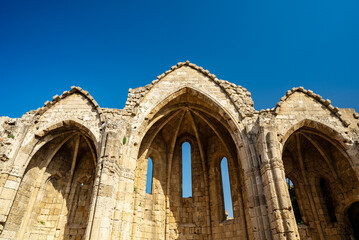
(325, 182)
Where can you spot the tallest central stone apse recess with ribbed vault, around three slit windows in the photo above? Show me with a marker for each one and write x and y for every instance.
(193, 118)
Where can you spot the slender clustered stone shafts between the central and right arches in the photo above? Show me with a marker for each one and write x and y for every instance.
(281, 215)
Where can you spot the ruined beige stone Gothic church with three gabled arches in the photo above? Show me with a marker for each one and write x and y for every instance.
(74, 170)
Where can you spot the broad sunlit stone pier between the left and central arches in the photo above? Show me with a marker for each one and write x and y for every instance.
(113, 200)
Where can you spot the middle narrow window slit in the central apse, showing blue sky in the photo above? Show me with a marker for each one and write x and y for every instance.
(186, 170)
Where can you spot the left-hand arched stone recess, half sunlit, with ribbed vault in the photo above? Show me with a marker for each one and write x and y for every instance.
(54, 196)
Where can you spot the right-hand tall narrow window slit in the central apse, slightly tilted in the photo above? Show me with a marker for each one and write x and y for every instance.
(227, 197)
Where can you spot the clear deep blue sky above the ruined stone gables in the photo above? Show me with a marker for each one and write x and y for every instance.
(107, 47)
